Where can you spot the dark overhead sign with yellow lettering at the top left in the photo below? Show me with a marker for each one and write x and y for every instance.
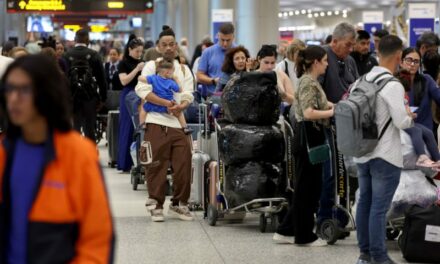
(73, 6)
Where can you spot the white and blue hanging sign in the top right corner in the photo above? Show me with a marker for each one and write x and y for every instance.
(421, 20)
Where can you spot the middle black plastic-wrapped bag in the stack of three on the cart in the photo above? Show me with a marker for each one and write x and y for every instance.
(241, 143)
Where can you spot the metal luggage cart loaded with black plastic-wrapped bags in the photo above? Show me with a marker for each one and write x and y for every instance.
(216, 203)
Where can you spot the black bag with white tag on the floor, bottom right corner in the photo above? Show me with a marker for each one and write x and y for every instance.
(420, 241)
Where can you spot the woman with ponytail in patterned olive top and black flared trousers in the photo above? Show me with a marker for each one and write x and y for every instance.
(312, 111)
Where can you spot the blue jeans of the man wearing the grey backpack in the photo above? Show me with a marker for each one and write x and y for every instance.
(378, 180)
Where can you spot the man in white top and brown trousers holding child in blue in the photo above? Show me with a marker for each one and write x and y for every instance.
(169, 143)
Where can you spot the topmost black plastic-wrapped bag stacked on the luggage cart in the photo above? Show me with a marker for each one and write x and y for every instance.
(252, 98)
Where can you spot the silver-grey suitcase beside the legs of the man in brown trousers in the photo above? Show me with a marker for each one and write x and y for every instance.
(197, 173)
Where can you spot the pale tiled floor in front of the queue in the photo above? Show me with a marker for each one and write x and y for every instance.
(141, 241)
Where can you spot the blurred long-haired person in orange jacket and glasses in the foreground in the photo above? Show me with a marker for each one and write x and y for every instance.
(53, 202)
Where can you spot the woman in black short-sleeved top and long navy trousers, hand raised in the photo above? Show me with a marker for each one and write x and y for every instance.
(129, 70)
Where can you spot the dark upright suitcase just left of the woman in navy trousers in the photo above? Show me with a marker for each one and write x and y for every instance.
(112, 137)
